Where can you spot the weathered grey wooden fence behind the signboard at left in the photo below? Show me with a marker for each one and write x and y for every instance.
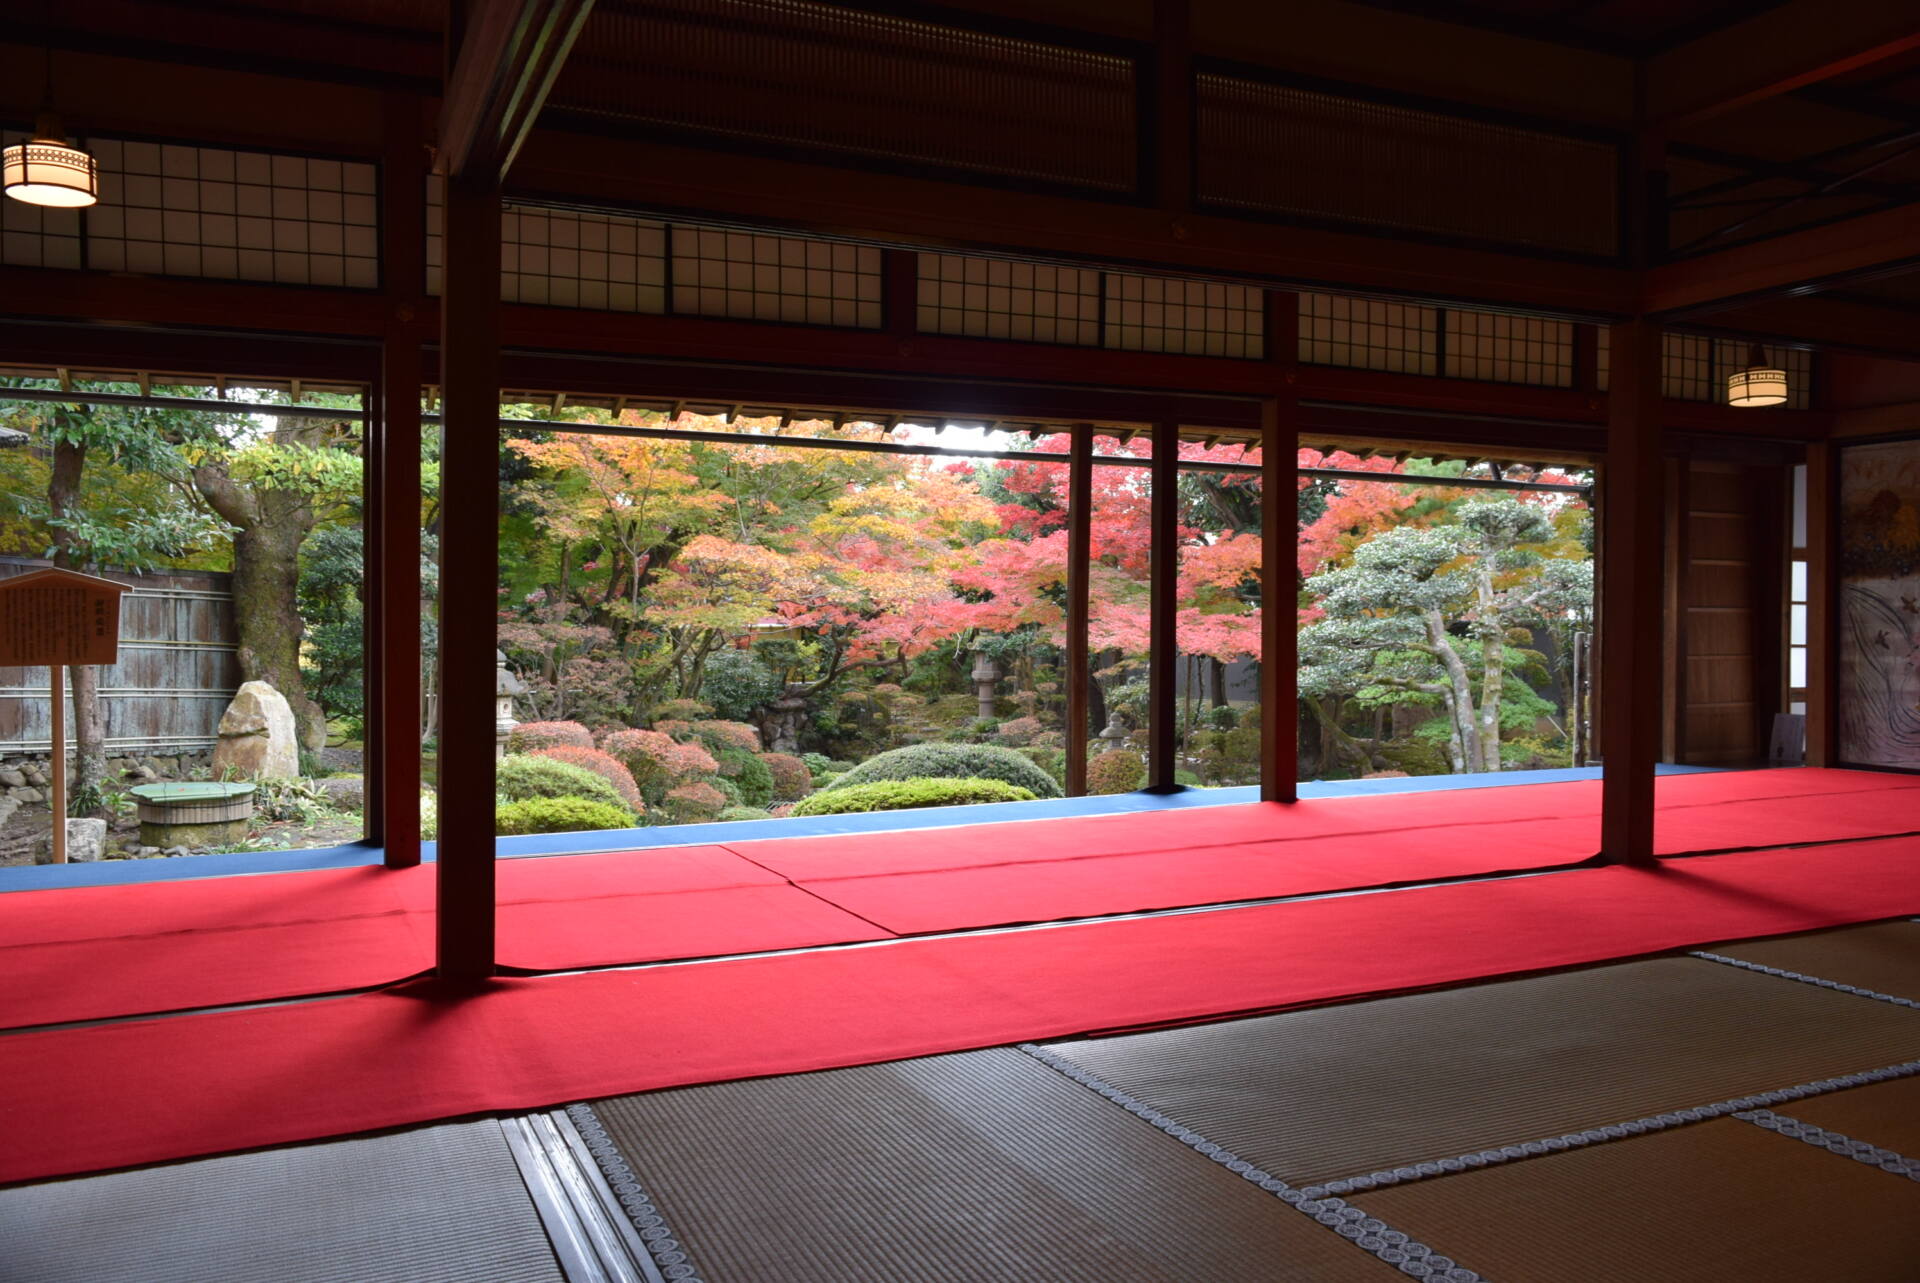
(176, 675)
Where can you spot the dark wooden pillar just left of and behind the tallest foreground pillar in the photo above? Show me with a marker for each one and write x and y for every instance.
(395, 502)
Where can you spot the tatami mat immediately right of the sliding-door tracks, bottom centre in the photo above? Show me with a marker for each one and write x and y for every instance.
(972, 1167)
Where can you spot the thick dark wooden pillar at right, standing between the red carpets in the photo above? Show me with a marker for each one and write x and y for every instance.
(1631, 664)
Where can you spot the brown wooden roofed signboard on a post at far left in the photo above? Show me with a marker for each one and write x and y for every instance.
(57, 619)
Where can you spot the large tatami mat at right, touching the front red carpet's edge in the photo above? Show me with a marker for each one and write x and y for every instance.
(1351, 1090)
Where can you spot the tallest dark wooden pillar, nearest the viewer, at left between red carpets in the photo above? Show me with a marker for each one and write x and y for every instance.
(469, 575)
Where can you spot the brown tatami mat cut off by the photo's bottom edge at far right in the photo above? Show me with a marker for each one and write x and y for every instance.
(1696, 1205)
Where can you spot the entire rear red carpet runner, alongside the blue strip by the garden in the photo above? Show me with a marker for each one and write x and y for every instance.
(114, 952)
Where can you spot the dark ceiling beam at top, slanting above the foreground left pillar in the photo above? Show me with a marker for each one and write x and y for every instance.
(506, 59)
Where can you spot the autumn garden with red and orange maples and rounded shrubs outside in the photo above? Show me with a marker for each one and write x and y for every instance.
(711, 631)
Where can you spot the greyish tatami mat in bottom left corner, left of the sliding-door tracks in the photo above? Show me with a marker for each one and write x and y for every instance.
(439, 1205)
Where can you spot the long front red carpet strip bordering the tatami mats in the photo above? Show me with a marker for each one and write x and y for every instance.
(130, 1094)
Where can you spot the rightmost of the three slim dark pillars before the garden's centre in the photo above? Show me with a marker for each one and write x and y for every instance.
(1280, 644)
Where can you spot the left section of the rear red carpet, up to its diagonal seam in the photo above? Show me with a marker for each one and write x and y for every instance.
(118, 952)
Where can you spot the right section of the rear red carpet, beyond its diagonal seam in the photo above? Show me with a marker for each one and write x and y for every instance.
(1044, 871)
